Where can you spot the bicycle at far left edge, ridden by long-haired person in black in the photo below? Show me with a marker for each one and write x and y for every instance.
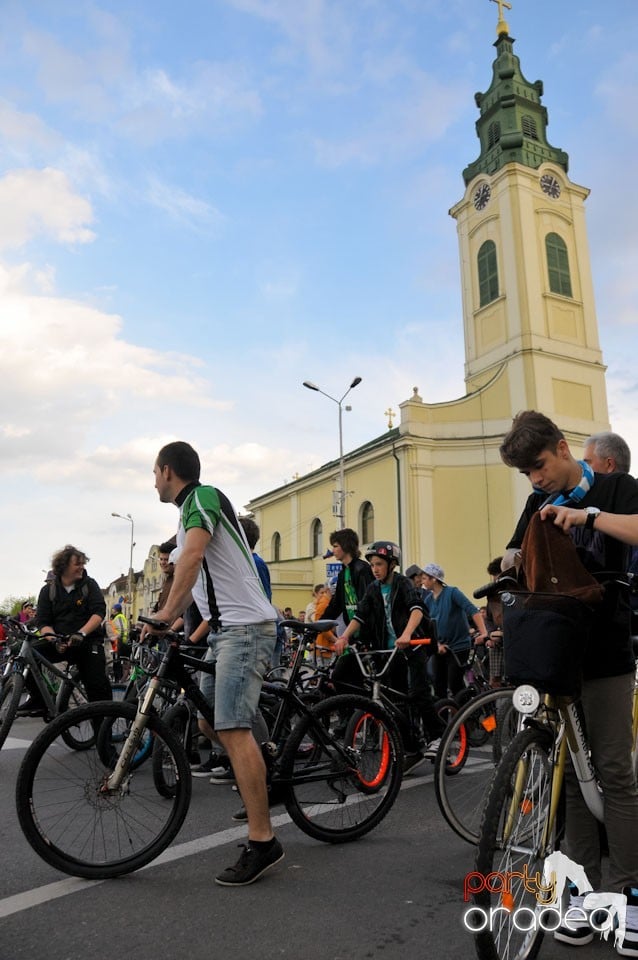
(59, 689)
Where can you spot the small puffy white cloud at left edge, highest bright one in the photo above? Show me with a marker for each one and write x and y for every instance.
(42, 202)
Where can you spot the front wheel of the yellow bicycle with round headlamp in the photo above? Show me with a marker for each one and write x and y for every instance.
(515, 839)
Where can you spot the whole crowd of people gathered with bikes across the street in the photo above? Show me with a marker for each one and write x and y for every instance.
(218, 588)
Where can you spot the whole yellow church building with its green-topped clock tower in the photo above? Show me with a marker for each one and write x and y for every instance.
(435, 483)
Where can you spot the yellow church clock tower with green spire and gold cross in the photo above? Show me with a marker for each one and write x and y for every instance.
(528, 300)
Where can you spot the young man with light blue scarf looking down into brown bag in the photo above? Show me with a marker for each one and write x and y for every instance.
(584, 503)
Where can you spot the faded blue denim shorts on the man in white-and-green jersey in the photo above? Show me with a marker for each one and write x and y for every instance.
(241, 655)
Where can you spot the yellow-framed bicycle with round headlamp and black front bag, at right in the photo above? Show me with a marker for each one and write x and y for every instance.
(522, 822)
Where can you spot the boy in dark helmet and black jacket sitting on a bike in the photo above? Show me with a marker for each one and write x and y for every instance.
(391, 611)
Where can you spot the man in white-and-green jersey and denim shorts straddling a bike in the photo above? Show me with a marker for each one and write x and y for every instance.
(214, 551)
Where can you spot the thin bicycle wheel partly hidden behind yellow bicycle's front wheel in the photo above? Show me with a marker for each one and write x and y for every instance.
(463, 769)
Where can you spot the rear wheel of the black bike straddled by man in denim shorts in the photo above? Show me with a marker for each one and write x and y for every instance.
(337, 790)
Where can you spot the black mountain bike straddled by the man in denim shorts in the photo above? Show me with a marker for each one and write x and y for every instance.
(91, 815)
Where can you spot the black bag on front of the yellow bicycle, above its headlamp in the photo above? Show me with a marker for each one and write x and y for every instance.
(544, 640)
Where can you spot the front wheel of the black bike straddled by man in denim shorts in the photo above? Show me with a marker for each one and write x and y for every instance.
(74, 822)
